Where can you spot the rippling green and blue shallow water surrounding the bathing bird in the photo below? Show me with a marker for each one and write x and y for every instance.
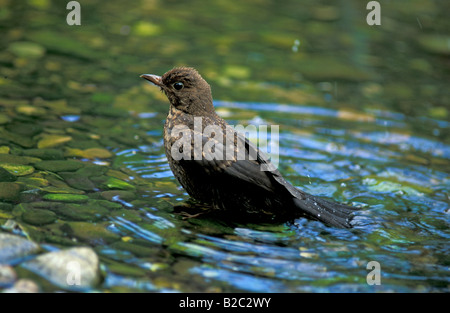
(363, 113)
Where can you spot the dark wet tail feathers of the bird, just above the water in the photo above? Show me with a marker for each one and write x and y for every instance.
(333, 214)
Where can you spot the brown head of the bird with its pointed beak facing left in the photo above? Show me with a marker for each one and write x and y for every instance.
(186, 90)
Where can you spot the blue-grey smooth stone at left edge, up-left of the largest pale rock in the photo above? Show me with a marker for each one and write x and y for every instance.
(13, 247)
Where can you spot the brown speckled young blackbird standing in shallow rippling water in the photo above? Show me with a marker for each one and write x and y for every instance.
(220, 177)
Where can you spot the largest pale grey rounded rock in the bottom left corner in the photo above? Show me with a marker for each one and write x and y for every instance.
(72, 269)
